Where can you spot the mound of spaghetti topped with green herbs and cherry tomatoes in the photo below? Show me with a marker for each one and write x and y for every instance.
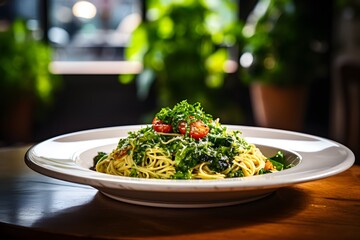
(204, 150)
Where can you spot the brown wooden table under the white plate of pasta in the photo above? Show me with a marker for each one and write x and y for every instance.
(33, 206)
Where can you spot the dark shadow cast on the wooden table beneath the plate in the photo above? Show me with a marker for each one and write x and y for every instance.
(130, 221)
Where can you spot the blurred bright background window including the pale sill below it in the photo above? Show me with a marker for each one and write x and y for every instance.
(87, 36)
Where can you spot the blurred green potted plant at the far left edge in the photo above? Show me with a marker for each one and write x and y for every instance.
(25, 80)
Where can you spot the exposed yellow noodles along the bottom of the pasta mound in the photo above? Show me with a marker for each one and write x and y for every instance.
(158, 163)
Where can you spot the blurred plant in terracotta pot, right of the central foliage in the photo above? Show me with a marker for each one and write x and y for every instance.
(279, 61)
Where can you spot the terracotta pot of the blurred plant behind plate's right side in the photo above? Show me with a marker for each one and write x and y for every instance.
(278, 107)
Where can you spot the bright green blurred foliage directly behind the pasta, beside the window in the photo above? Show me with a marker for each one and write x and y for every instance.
(184, 47)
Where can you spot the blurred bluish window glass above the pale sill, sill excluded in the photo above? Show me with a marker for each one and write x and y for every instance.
(96, 30)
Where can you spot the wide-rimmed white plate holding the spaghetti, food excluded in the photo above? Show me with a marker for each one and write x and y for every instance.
(69, 157)
